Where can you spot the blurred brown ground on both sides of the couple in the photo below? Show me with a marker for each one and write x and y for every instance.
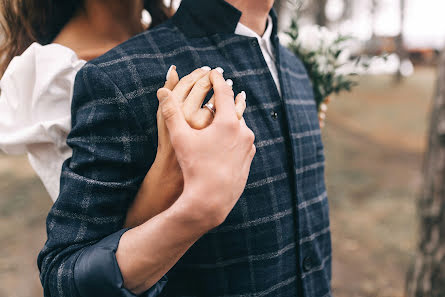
(374, 141)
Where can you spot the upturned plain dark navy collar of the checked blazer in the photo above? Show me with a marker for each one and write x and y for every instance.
(199, 18)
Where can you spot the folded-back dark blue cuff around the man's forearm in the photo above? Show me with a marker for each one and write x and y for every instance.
(96, 272)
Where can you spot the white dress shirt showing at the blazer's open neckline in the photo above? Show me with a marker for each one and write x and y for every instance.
(266, 46)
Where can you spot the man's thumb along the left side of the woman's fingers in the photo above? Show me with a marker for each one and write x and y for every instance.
(172, 113)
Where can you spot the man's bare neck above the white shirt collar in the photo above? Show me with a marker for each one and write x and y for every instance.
(254, 13)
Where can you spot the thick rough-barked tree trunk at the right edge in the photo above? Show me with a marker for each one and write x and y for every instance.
(426, 278)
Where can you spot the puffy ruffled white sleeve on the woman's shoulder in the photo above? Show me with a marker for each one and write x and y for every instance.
(35, 108)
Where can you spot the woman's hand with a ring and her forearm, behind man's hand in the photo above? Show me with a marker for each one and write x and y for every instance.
(163, 183)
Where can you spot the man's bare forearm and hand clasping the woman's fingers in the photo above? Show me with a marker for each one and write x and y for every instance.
(215, 162)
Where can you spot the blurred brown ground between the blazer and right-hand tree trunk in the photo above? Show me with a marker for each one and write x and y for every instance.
(374, 140)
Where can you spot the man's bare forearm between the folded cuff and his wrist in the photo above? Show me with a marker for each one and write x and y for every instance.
(147, 252)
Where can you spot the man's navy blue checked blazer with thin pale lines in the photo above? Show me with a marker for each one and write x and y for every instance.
(275, 242)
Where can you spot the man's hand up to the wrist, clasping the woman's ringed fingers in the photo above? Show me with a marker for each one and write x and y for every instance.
(215, 161)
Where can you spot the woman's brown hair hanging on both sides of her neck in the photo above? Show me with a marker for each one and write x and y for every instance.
(23, 22)
